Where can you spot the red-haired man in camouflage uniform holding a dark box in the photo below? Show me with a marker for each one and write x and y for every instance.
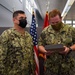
(58, 63)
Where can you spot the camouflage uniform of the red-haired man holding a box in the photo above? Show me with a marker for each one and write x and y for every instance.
(58, 64)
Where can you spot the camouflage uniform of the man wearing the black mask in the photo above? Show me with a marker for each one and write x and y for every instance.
(16, 53)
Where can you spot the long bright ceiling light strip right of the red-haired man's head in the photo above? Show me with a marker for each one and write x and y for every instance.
(67, 8)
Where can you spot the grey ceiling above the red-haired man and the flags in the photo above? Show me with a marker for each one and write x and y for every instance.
(55, 4)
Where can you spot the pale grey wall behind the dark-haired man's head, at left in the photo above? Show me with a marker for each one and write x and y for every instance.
(6, 9)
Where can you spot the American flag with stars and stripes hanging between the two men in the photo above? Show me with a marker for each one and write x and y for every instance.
(33, 33)
